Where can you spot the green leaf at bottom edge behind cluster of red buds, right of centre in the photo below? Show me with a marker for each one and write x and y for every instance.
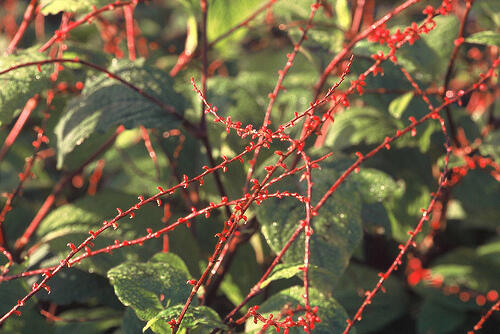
(332, 314)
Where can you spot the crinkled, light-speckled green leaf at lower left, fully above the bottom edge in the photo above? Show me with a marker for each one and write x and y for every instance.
(151, 287)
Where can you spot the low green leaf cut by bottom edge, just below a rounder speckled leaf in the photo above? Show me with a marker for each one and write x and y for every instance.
(199, 319)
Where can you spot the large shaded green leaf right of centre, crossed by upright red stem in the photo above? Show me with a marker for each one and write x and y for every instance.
(337, 227)
